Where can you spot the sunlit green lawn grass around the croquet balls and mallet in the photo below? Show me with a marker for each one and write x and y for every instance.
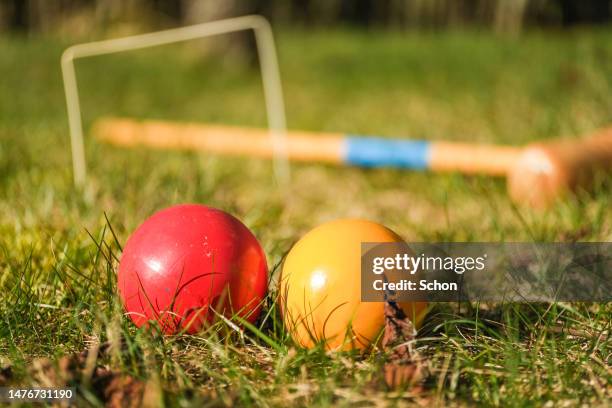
(59, 246)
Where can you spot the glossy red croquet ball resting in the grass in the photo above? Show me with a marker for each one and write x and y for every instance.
(186, 260)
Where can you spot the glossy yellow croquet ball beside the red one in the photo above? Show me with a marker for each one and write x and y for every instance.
(320, 287)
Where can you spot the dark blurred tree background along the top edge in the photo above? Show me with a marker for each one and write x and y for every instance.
(501, 16)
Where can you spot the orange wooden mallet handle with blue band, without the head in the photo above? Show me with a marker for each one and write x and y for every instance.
(327, 147)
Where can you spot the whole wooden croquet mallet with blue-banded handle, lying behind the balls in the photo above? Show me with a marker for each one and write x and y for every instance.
(537, 174)
